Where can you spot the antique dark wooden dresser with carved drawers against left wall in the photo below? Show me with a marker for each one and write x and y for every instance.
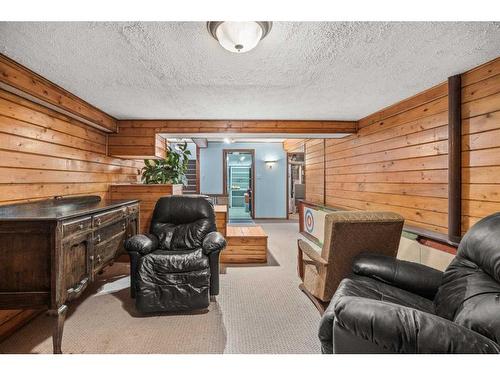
(51, 250)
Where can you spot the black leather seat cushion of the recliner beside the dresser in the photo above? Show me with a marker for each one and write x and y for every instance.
(161, 262)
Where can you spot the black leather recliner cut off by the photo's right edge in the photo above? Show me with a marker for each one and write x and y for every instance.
(393, 306)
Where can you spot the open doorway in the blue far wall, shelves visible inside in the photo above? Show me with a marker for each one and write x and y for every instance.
(239, 184)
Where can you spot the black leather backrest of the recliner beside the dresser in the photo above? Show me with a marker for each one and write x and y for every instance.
(182, 222)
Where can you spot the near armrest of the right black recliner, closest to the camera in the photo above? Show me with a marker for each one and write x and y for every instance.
(401, 329)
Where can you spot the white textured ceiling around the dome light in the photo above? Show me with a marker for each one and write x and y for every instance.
(301, 70)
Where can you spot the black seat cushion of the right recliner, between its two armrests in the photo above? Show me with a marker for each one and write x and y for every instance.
(365, 287)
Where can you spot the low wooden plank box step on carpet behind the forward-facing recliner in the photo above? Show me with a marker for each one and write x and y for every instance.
(245, 245)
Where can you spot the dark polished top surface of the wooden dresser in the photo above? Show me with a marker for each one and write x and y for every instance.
(60, 208)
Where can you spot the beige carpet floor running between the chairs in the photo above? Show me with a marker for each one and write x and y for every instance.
(260, 310)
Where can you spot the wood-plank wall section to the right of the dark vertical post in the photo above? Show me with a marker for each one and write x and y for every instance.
(480, 143)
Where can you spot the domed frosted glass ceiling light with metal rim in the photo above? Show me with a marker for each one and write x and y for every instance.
(239, 37)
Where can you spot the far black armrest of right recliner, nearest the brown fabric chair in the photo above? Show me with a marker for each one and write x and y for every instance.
(413, 277)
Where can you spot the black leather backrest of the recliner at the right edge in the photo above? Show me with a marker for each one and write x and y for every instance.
(470, 292)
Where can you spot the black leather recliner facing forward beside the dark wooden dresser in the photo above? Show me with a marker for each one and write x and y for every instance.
(175, 267)
